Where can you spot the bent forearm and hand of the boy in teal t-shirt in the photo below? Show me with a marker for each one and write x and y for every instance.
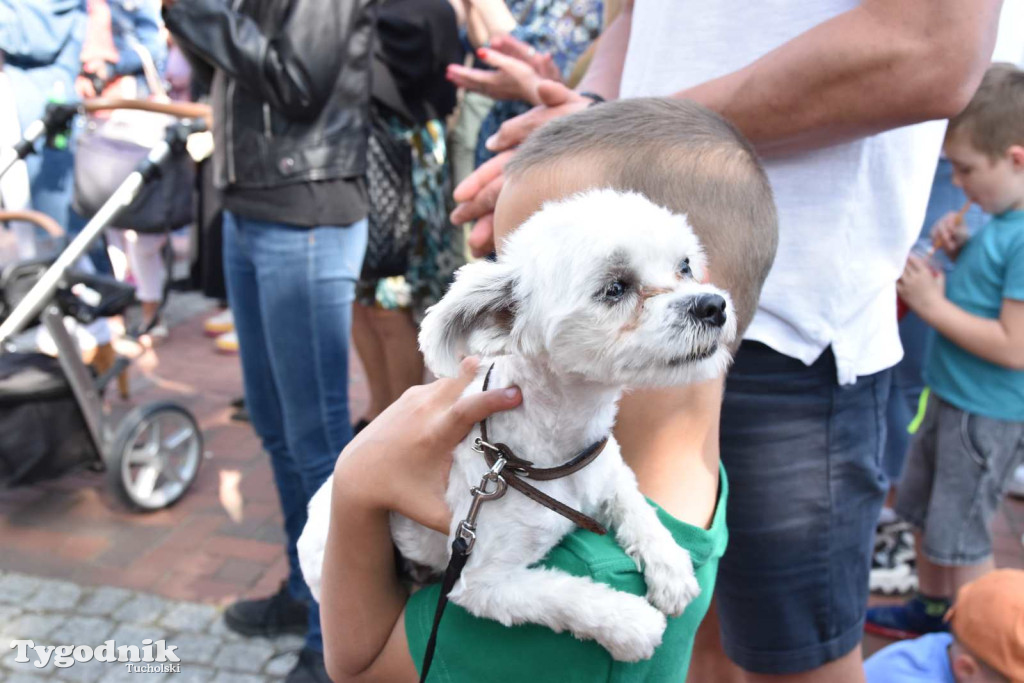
(1000, 341)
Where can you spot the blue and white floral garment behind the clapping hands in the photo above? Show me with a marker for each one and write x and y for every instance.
(564, 29)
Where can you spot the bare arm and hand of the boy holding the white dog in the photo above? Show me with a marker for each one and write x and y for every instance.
(400, 463)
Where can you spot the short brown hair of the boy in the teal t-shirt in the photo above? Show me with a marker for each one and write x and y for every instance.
(994, 119)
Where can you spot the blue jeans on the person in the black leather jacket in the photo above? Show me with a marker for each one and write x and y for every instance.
(291, 292)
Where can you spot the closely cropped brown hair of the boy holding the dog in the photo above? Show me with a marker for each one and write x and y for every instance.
(686, 158)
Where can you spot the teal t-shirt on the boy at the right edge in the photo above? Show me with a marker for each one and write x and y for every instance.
(990, 270)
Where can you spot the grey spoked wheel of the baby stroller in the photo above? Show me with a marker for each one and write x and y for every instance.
(155, 456)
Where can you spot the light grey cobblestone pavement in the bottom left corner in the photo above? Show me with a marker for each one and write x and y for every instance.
(60, 613)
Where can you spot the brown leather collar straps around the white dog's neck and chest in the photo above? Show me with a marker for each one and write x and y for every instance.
(518, 467)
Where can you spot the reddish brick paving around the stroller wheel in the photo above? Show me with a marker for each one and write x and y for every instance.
(72, 529)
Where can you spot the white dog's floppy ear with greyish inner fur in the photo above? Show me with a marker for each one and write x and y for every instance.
(475, 317)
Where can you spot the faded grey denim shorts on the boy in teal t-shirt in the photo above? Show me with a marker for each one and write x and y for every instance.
(957, 474)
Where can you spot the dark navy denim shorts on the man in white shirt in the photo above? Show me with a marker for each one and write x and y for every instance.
(804, 457)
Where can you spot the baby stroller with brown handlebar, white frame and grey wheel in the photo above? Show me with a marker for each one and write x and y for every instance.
(53, 416)
